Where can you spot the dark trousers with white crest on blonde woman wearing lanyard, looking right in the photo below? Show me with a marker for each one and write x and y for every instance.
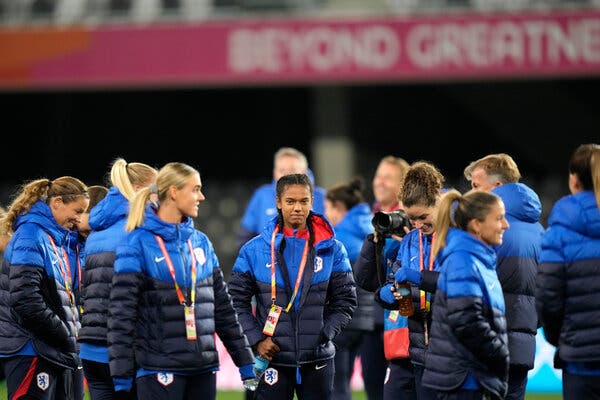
(163, 386)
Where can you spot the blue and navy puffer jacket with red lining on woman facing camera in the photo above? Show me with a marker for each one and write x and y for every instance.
(323, 306)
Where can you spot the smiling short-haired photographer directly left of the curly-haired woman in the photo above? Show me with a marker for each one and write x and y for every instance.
(377, 255)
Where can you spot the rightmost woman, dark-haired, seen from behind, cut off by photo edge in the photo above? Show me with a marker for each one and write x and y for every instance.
(567, 297)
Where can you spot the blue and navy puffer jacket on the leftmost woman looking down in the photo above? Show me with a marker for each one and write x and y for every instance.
(34, 304)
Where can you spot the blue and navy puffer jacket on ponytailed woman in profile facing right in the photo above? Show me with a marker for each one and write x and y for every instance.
(468, 330)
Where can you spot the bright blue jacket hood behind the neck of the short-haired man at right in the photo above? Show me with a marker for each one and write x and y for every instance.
(520, 201)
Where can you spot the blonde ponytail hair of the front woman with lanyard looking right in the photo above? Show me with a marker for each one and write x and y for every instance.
(172, 174)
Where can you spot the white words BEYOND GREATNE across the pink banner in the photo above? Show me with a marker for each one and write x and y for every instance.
(496, 44)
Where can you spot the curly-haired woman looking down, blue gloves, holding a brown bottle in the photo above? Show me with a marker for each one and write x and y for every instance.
(420, 195)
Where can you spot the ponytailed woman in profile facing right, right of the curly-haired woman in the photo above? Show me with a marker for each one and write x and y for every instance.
(468, 353)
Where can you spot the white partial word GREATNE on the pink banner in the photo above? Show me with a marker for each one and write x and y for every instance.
(482, 45)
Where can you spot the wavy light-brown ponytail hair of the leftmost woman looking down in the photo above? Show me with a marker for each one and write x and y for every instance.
(66, 187)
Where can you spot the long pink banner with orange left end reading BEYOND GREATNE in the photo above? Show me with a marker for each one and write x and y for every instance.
(288, 51)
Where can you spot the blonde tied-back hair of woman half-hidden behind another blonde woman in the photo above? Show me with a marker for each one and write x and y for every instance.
(124, 176)
